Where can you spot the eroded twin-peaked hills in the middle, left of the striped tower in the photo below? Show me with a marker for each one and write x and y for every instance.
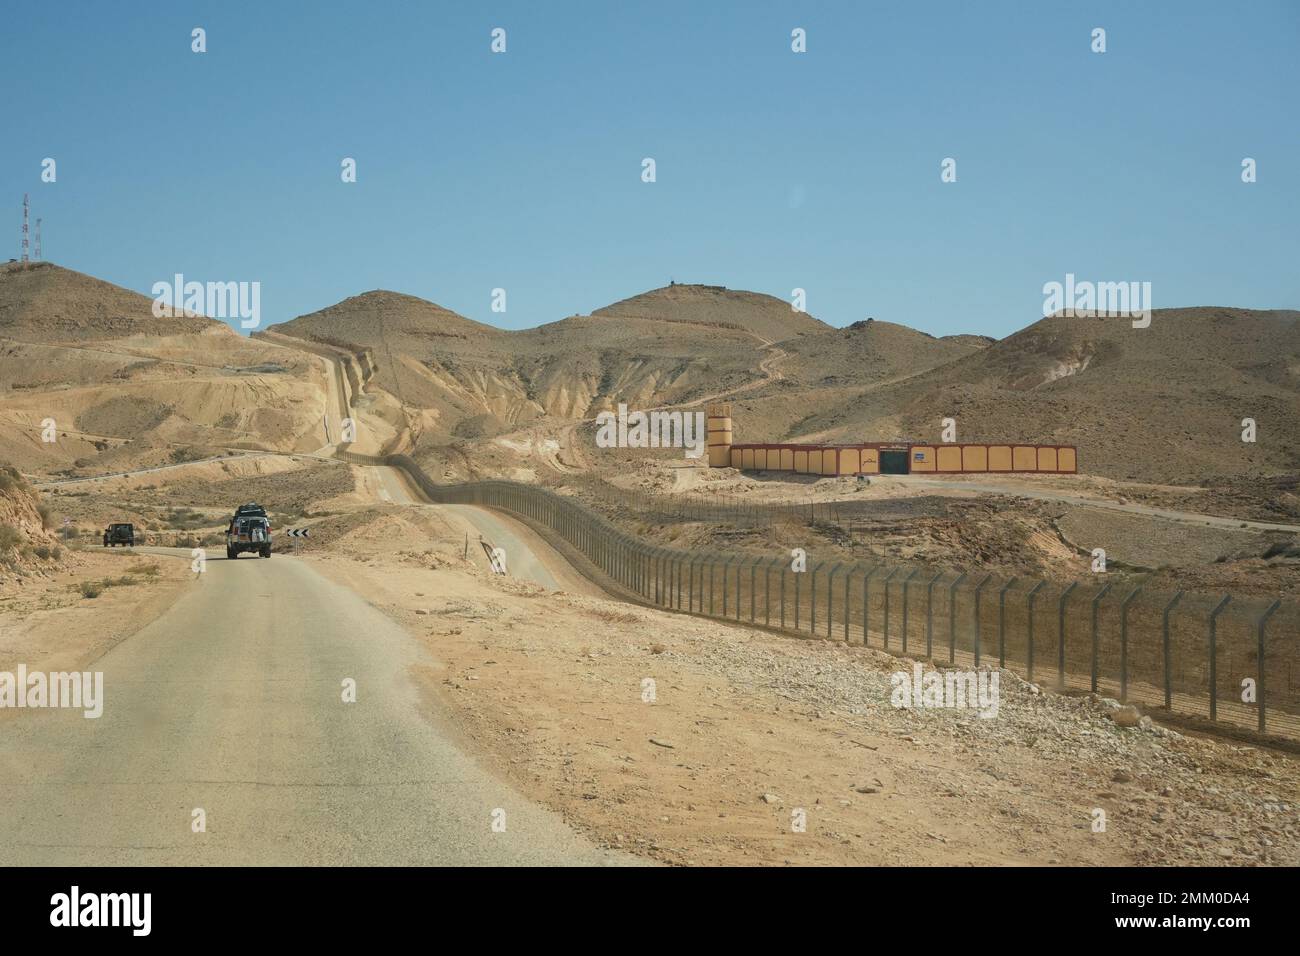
(669, 347)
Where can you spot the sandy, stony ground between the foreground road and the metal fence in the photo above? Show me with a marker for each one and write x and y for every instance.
(740, 736)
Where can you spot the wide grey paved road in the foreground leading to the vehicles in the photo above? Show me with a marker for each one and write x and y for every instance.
(232, 703)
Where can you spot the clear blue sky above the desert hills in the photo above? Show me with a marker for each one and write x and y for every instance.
(775, 171)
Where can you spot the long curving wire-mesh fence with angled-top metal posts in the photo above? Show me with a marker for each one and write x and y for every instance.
(1220, 657)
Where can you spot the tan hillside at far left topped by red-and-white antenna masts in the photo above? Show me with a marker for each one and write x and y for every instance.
(119, 388)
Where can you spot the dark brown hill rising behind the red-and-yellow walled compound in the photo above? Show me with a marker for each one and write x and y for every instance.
(1163, 404)
